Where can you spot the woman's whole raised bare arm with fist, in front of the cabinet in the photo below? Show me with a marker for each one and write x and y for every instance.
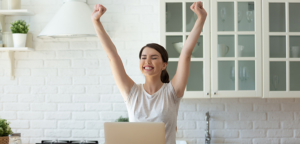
(180, 78)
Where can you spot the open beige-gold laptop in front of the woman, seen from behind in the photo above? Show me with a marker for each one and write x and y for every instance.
(134, 132)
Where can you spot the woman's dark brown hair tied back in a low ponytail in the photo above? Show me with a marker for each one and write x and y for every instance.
(164, 77)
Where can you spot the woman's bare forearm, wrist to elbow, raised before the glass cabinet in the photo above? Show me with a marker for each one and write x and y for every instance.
(193, 37)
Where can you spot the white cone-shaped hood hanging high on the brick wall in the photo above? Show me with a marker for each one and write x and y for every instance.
(73, 20)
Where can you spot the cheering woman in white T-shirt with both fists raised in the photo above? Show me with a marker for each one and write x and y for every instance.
(158, 99)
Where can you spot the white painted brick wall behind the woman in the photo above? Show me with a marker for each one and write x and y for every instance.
(65, 88)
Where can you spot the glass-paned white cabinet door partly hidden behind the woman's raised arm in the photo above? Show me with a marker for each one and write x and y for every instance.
(176, 22)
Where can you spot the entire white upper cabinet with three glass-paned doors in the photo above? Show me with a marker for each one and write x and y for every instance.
(248, 48)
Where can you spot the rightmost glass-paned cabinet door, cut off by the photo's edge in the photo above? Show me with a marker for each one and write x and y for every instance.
(281, 36)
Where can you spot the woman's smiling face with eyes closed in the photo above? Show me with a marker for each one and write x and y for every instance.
(151, 62)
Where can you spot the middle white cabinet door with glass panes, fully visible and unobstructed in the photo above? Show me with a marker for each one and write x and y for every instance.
(236, 48)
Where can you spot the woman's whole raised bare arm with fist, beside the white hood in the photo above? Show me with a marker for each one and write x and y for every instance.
(123, 81)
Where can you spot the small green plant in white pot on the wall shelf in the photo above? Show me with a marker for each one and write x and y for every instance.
(19, 30)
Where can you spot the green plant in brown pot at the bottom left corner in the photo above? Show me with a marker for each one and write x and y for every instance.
(5, 130)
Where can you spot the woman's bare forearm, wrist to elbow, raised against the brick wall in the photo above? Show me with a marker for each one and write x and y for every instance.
(105, 40)
